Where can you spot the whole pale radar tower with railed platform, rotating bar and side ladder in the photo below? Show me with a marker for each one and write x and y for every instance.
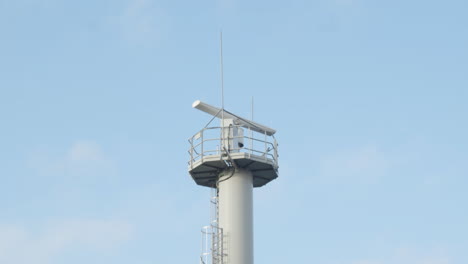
(232, 163)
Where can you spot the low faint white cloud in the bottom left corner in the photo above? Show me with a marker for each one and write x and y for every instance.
(20, 246)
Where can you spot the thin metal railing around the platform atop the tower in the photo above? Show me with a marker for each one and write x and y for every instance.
(210, 142)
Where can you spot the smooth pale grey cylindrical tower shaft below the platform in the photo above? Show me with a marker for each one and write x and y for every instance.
(236, 215)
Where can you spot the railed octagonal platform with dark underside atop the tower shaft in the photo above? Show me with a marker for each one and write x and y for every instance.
(255, 152)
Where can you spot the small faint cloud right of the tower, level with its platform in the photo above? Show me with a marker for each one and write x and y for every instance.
(365, 164)
